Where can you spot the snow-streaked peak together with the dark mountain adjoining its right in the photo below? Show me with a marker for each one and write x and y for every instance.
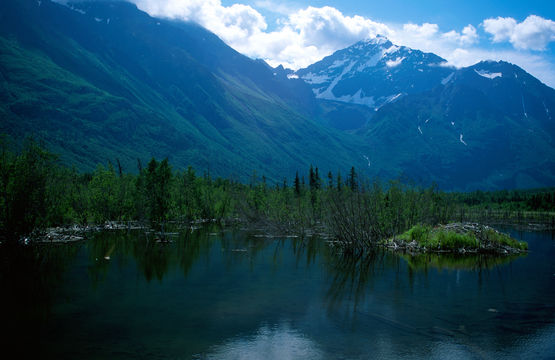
(486, 126)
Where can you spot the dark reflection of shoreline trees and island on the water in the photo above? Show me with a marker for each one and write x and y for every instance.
(351, 273)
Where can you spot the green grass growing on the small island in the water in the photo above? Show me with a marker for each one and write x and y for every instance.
(444, 239)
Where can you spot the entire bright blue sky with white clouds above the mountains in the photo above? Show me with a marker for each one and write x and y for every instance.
(298, 33)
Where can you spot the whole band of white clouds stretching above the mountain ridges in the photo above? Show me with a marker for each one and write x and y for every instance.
(304, 36)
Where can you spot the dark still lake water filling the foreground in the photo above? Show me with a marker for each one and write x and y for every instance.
(233, 295)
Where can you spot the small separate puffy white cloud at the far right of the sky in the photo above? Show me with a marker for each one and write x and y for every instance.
(534, 33)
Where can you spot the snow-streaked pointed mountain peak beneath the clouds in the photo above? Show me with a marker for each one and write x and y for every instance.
(374, 72)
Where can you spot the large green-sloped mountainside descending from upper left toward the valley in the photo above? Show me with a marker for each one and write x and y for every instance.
(102, 81)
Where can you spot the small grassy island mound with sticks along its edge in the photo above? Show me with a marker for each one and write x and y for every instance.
(456, 238)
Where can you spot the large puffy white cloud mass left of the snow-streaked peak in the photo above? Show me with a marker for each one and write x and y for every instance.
(303, 37)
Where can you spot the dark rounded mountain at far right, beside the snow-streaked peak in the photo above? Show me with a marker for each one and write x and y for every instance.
(489, 126)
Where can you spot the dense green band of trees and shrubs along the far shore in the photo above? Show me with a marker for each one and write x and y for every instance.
(37, 192)
